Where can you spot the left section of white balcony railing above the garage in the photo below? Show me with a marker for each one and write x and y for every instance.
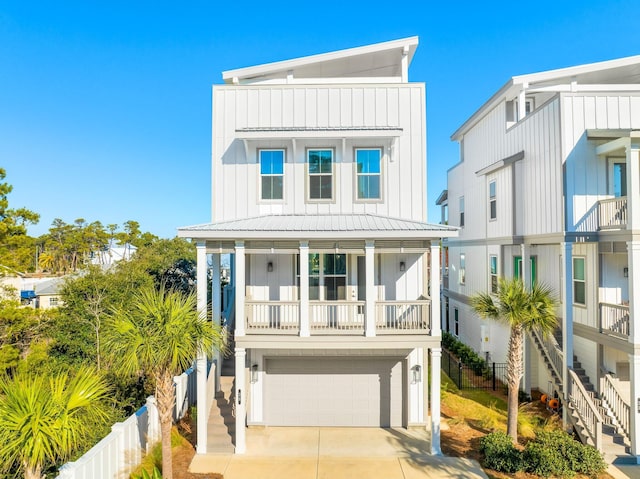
(277, 316)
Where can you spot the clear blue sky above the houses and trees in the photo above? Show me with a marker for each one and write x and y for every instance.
(105, 106)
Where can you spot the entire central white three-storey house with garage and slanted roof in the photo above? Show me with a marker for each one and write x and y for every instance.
(319, 193)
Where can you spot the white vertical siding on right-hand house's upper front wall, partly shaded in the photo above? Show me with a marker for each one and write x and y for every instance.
(586, 173)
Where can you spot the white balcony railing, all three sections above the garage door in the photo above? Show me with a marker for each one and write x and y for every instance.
(338, 317)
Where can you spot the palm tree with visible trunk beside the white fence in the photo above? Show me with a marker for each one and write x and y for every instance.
(160, 337)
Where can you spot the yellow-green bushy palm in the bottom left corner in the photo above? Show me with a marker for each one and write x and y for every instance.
(45, 419)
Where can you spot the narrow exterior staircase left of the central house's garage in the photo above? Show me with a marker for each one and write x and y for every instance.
(222, 421)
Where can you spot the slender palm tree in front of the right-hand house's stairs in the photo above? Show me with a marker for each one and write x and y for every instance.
(523, 311)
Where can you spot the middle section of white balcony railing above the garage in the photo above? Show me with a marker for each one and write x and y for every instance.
(331, 316)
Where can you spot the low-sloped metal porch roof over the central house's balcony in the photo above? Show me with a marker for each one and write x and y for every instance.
(318, 226)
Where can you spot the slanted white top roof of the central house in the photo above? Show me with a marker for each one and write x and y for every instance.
(377, 60)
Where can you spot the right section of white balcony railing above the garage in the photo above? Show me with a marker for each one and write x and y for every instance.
(394, 316)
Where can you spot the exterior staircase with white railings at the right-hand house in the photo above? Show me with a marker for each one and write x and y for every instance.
(590, 415)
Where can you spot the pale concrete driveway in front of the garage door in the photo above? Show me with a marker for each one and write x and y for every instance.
(336, 453)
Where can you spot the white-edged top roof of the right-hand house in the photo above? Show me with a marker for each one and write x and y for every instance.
(611, 72)
